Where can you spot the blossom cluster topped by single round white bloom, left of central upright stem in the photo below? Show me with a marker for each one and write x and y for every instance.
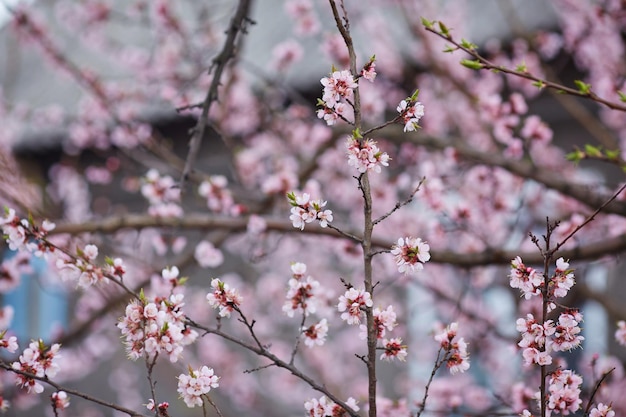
(303, 293)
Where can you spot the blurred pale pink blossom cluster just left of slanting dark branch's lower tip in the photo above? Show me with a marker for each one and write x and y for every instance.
(162, 193)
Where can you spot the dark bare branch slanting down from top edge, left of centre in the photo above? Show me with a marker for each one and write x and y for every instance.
(237, 25)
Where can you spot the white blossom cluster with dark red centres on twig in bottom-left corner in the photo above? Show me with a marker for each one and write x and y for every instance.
(39, 360)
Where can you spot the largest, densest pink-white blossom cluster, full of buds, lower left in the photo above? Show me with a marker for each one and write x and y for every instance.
(156, 326)
